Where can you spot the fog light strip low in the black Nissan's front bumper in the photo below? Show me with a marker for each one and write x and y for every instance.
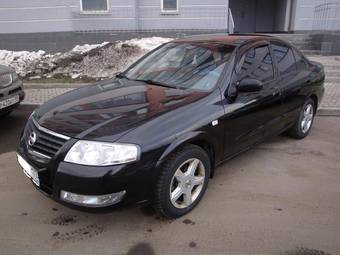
(92, 201)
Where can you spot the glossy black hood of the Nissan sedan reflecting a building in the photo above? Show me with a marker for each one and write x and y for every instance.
(105, 111)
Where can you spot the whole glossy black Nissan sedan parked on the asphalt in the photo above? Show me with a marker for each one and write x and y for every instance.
(157, 131)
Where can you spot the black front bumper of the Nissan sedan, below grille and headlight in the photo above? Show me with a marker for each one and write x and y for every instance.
(83, 184)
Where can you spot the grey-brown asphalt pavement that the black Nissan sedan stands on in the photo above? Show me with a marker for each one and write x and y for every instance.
(282, 197)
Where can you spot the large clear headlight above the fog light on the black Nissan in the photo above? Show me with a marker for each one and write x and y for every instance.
(102, 154)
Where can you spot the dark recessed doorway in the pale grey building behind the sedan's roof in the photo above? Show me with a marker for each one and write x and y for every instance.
(259, 15)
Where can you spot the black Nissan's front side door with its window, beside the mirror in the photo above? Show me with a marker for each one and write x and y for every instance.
(250, 114)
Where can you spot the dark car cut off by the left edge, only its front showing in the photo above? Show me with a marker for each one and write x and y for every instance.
(11, 90)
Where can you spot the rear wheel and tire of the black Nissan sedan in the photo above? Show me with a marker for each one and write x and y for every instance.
(304, 123)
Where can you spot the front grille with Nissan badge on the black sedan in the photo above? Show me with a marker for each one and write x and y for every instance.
(45, 143)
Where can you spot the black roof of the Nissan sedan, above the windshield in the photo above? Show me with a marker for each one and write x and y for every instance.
(233, 39)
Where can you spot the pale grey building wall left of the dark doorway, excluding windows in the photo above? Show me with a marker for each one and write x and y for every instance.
(22, 16)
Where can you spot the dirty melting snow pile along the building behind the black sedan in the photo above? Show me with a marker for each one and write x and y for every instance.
(91, 61)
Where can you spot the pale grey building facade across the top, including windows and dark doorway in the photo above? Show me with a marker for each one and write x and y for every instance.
(36, 16)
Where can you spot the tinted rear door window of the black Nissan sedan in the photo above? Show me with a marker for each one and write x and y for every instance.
(284, 58)
